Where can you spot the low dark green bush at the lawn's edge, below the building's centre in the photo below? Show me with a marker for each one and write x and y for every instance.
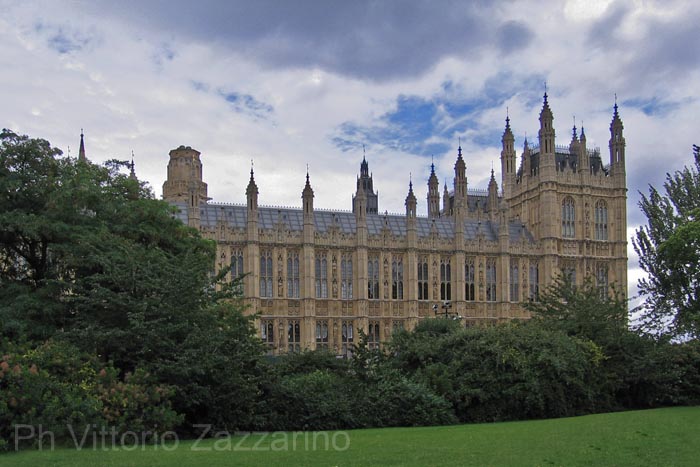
(314, 390)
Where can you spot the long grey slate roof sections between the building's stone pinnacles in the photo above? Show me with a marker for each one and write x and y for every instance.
(235, 216)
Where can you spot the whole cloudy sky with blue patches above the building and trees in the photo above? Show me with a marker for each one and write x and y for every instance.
(291, 83)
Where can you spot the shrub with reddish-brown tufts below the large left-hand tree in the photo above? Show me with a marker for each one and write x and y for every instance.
(59, 388)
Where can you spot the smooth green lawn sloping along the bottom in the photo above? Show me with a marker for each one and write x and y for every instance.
(663, 437)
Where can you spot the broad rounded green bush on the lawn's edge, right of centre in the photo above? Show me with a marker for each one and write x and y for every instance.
(510, 371)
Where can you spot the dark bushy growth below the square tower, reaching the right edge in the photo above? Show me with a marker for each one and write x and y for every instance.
(635, 370)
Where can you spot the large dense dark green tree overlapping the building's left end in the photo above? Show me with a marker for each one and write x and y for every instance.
(89, 256)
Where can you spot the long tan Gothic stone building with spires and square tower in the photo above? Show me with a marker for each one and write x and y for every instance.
(316, 277)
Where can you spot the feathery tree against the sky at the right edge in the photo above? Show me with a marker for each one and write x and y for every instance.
(668, 252)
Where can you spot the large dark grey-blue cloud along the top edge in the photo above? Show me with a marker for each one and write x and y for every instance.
(370, 39)
